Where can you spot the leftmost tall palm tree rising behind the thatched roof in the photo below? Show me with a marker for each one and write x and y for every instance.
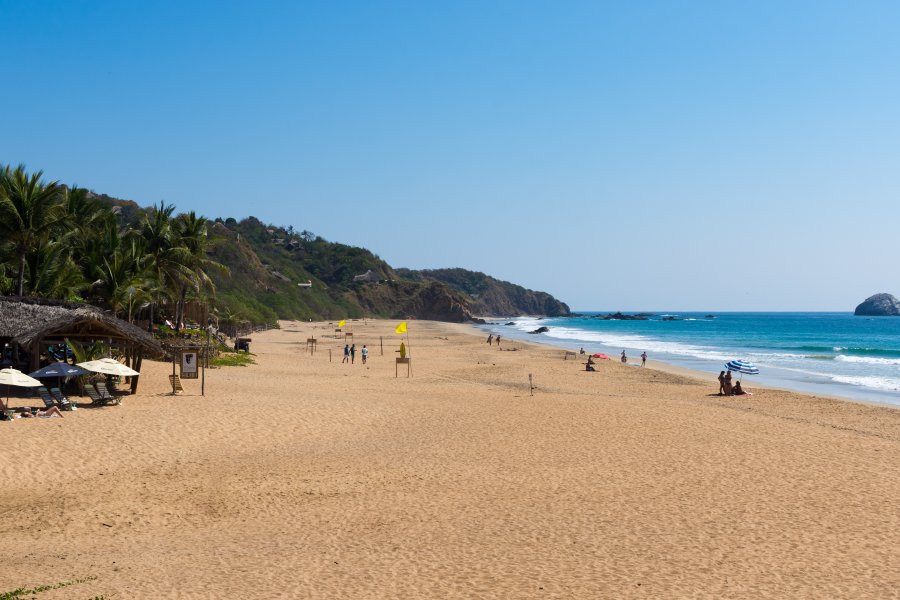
(29, 210)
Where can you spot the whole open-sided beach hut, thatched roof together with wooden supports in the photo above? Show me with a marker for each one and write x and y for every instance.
(27, 325)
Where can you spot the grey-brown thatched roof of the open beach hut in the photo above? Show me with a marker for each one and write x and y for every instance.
(27, 320)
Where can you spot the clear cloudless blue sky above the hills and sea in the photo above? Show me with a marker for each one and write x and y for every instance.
(633, 156)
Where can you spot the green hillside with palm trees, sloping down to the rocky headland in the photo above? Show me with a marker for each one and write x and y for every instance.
(149, 263)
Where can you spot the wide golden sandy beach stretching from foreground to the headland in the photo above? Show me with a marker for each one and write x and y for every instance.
(300, 477)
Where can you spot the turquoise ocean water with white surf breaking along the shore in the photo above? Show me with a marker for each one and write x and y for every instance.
(835, 354)
